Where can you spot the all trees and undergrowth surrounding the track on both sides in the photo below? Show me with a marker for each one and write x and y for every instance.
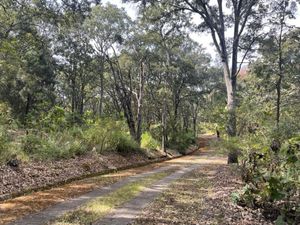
(80, 77)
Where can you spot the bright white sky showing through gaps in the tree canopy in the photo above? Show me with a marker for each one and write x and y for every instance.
(202, 38)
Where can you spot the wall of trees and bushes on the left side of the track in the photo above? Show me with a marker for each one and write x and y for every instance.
(62, 96)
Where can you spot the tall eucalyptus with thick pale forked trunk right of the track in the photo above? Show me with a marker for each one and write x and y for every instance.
(243, 17)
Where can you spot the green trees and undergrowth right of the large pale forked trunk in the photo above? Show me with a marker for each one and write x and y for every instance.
(268, 151)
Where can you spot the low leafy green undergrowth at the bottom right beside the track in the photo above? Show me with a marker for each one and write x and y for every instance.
(270, 165)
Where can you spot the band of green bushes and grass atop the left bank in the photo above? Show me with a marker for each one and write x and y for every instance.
(53, 138)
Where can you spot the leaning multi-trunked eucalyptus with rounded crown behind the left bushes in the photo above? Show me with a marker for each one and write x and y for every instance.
(109, 29)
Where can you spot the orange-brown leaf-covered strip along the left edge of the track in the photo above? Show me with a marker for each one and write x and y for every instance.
(13, 209)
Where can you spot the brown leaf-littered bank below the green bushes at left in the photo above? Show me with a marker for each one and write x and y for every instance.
(42, 174)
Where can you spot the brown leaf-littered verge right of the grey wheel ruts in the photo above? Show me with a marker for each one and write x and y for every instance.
(202, 197)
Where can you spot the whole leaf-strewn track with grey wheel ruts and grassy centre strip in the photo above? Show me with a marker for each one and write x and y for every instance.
(194, 189)
